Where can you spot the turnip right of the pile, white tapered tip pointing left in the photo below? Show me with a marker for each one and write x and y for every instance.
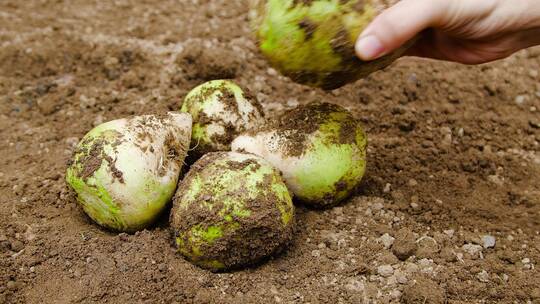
(320, 149)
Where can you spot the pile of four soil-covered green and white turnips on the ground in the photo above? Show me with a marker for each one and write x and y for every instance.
(234, 206)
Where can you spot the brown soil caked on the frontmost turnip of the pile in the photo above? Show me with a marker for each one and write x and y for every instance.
(254, 237)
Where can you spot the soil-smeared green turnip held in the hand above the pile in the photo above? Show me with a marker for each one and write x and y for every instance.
(312, 42)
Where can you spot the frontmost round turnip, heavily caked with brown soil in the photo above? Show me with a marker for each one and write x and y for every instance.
(231, 210)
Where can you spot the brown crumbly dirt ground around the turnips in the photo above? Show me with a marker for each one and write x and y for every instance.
(448, 212)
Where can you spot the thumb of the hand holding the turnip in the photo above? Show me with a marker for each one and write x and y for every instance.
(398, 24)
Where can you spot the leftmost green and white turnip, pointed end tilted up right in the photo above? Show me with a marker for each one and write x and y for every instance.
(124, 172)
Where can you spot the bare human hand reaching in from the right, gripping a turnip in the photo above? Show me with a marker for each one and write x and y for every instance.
(465, 31)
